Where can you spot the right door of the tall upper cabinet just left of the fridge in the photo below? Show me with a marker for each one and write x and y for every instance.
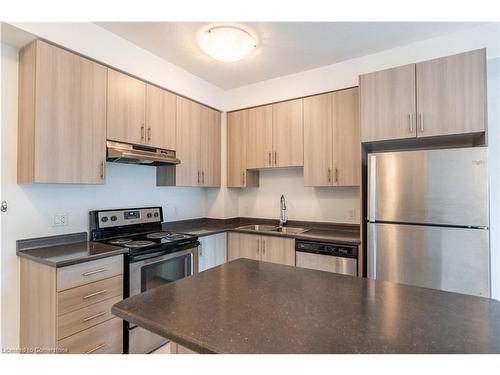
(346, 138)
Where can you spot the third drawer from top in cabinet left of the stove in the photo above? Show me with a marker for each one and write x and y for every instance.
(78, 320)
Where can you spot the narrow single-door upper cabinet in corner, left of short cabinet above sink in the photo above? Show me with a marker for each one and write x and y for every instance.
(237, 173)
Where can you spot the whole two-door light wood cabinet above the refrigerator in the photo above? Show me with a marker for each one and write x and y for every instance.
(440, 97)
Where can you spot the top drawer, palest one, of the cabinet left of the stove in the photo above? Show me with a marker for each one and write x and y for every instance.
(79, 274)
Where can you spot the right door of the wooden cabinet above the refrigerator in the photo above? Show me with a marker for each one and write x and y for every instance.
(451, 94)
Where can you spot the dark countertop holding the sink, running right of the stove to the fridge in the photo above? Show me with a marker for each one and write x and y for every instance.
(319, 231)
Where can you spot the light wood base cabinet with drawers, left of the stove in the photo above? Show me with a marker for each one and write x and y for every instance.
(68, 309)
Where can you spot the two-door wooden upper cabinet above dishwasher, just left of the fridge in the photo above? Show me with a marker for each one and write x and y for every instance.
(332, 153)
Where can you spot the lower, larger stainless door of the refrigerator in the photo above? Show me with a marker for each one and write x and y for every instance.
(445, 258)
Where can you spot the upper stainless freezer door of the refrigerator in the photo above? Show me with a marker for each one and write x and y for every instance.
(446, 187)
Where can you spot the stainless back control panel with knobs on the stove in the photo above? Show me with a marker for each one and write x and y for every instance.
(118, 218)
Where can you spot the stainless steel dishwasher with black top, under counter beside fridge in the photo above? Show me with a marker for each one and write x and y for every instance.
(325, 256)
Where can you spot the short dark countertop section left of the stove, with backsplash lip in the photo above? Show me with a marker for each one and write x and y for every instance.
(65, 250)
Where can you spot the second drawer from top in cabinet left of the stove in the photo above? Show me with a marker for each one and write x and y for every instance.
(88, 294)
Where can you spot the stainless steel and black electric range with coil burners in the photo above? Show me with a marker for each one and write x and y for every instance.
(156, 257)
